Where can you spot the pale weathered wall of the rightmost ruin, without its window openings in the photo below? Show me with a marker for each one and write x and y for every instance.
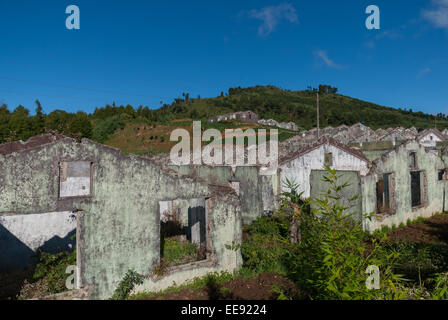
(397, 162)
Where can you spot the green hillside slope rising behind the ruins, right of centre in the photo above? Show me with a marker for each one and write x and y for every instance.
(300, 107)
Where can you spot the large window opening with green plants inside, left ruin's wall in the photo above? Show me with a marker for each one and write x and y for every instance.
(182, 232)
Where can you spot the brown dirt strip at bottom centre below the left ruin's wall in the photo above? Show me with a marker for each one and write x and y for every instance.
(261, 288)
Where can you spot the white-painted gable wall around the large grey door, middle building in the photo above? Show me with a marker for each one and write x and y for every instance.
(299, 169)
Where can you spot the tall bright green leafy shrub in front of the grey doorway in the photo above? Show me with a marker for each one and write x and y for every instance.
(331, 260)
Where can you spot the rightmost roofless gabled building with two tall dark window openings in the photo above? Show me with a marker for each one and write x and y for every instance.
(405, 183)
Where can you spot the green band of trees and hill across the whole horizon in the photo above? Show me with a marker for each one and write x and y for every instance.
(268, 102)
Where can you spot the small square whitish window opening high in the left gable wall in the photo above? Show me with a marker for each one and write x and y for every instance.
(75, 179)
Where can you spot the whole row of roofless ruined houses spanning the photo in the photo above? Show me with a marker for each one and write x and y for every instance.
(57, 192)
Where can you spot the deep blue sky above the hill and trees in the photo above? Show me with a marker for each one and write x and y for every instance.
(143, 52)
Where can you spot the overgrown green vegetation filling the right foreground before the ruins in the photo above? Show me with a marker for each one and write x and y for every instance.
(326, 254)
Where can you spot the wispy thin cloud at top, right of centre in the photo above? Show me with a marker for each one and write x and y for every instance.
(271, 16)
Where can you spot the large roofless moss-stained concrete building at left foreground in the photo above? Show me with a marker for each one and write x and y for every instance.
(116, 205)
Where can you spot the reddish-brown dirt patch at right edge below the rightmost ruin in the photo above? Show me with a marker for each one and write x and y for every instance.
(431, 231)
